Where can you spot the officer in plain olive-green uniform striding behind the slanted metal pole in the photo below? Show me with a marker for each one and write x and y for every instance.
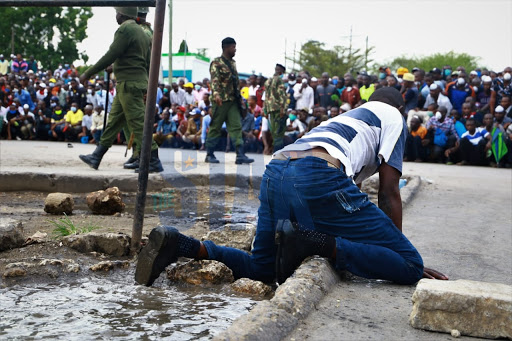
(130, 52)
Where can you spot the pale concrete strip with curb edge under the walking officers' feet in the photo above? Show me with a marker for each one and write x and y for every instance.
(52, 166)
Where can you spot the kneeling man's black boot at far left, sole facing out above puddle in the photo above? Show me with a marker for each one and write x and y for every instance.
(157, 254)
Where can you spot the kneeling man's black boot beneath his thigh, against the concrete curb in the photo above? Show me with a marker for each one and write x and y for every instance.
(296, 244)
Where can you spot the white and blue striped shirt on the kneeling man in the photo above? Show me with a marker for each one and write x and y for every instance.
(361, 139)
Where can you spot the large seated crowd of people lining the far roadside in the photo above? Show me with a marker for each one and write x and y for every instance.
(452, 116)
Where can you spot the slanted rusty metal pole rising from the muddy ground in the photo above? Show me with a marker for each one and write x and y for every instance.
(154, 69)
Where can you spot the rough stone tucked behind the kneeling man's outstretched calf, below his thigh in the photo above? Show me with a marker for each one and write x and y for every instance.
(239, 236)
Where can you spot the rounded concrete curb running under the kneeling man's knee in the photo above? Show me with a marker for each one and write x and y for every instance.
(296, 298)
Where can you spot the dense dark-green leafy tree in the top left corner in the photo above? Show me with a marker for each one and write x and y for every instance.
(50, 34)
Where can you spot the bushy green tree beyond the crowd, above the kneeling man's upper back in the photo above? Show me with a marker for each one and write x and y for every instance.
(315, 58)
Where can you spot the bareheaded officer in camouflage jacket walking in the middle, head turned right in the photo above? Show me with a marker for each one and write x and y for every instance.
(227, 103)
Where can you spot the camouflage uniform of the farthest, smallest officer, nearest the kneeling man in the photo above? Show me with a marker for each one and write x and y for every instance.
(275, 105)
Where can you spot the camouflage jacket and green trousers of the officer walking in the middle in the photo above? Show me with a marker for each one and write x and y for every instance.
(229, 112)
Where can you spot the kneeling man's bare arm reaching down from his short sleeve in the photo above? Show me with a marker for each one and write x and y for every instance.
(390, 201)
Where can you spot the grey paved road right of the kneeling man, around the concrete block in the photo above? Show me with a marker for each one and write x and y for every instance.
(462, 225)
